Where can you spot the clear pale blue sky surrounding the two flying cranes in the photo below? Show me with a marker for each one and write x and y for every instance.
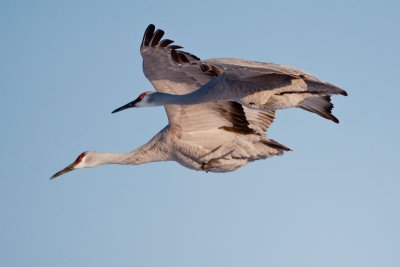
(333, 201)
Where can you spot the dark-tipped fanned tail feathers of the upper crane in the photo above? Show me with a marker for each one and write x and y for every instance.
(320, 105)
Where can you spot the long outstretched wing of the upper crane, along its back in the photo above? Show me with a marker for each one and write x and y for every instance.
(246, 77)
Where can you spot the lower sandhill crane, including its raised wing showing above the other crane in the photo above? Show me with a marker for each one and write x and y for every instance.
(215, 136)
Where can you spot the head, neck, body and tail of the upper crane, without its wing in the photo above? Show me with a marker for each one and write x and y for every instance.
(311, 96)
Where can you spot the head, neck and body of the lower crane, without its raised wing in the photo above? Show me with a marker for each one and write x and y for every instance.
(215, 150)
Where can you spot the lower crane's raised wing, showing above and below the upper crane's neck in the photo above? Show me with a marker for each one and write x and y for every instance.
(173, 71)
